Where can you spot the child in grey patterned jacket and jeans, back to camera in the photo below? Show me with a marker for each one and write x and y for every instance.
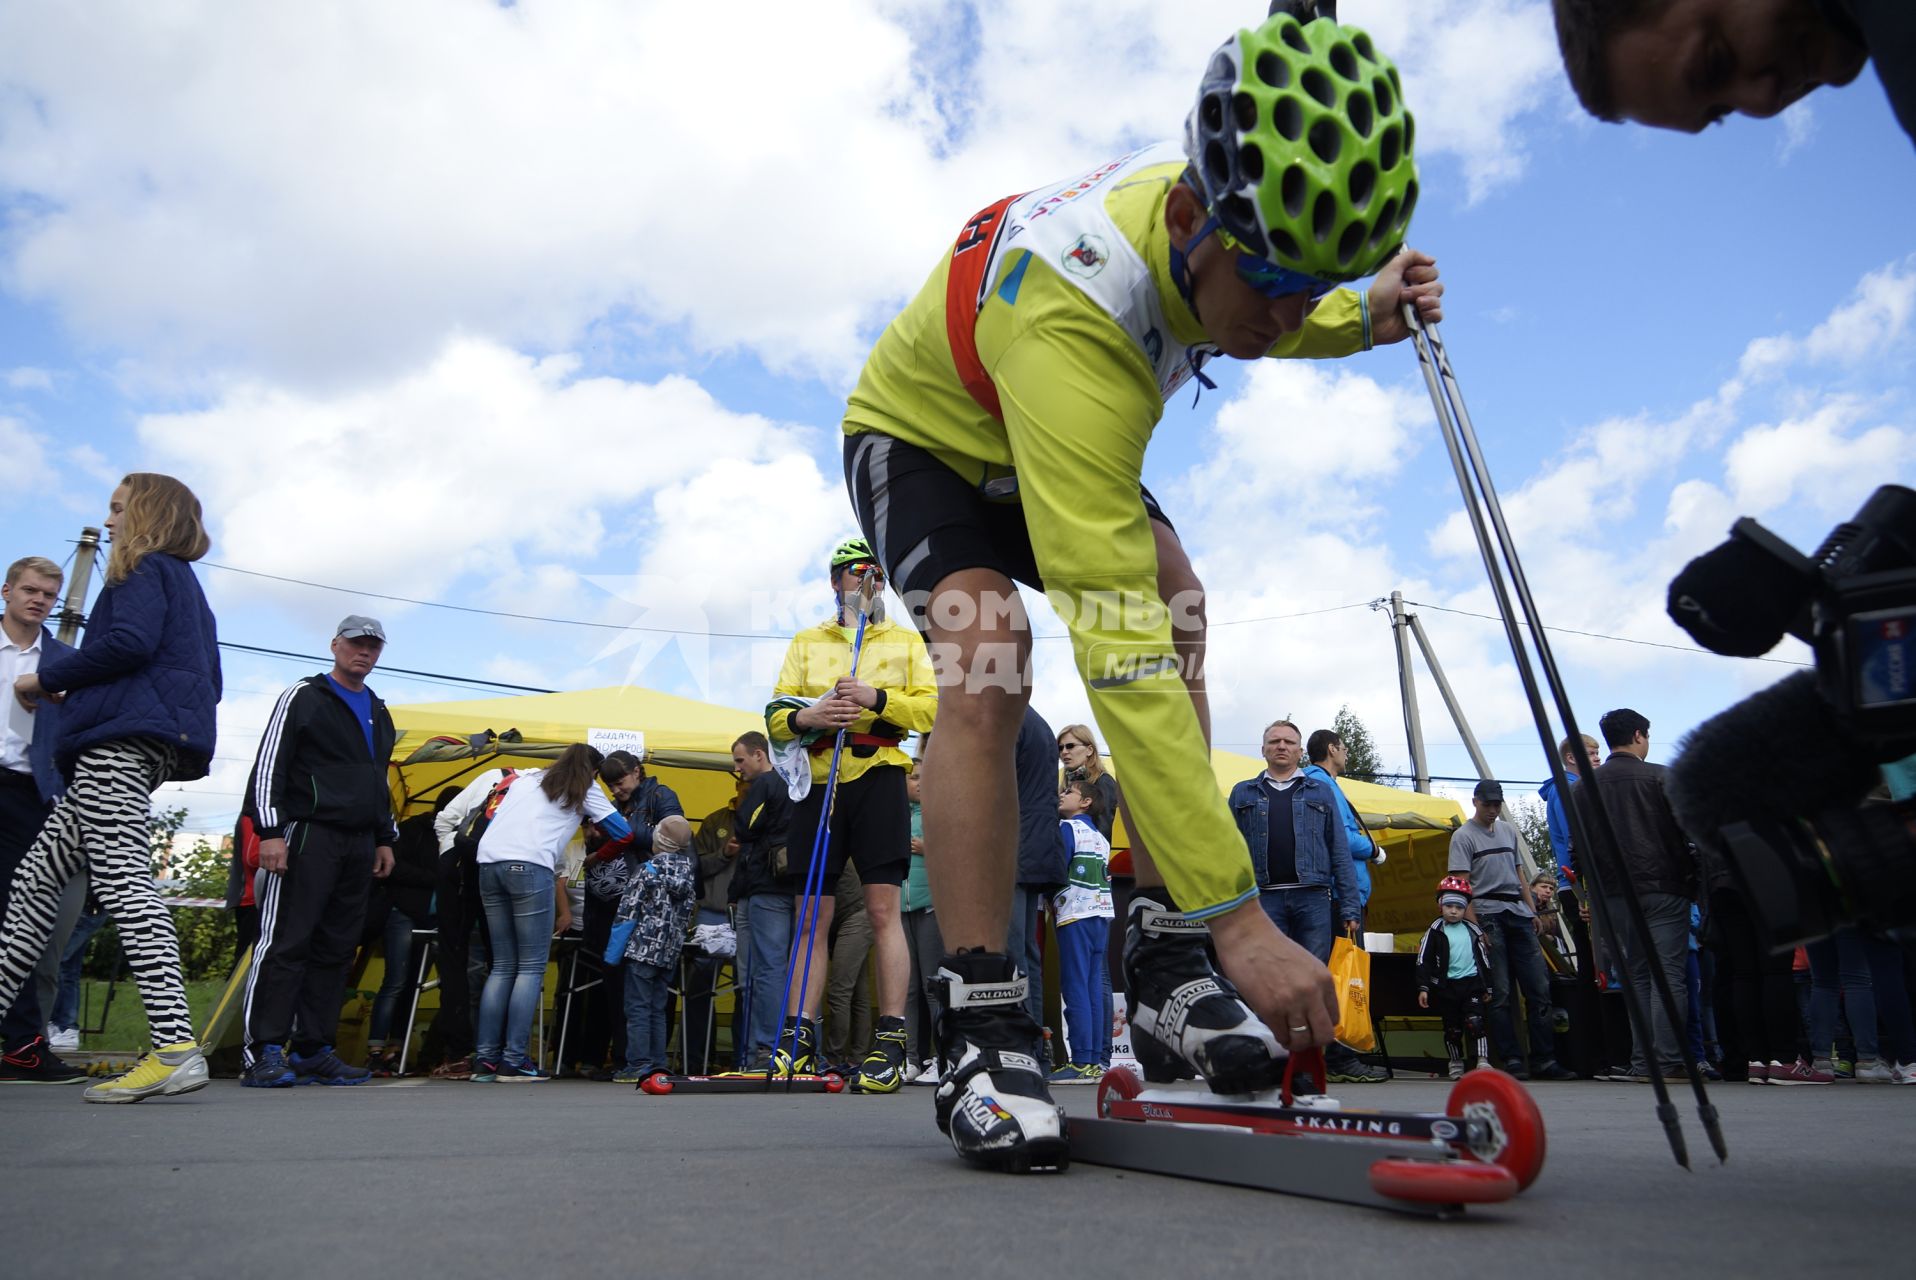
(660, 900)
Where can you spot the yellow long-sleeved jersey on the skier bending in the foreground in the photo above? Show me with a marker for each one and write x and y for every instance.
(1083, 334)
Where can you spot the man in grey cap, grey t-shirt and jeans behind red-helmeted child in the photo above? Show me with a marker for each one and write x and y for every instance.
(1488, 852)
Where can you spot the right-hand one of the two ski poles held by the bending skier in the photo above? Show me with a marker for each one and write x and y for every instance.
(1547, 660)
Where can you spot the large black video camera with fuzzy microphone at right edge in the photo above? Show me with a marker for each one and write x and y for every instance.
(1777, 785)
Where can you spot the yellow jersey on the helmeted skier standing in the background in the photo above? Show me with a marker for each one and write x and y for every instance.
(894, 662)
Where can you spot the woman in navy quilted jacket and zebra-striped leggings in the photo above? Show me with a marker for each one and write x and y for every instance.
(137, 710)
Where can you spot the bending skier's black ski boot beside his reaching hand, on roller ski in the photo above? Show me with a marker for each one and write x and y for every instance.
(1185, 1017)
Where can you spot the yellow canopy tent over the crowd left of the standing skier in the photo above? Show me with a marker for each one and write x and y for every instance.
(687, 744)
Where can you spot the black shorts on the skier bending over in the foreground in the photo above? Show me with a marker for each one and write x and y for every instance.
(926, 522)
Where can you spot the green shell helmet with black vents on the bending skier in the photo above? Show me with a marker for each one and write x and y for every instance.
(1302, 149)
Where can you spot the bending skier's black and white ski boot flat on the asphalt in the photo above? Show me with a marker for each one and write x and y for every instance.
(993, 1101)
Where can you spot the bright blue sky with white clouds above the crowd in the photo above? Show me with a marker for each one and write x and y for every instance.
(551, 309)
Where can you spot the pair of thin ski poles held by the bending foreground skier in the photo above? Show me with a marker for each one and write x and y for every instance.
(1480, 499)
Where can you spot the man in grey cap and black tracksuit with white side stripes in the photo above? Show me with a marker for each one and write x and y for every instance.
(325, 821)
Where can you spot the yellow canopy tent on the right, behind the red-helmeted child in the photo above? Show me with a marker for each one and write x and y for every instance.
(1411, 829)
